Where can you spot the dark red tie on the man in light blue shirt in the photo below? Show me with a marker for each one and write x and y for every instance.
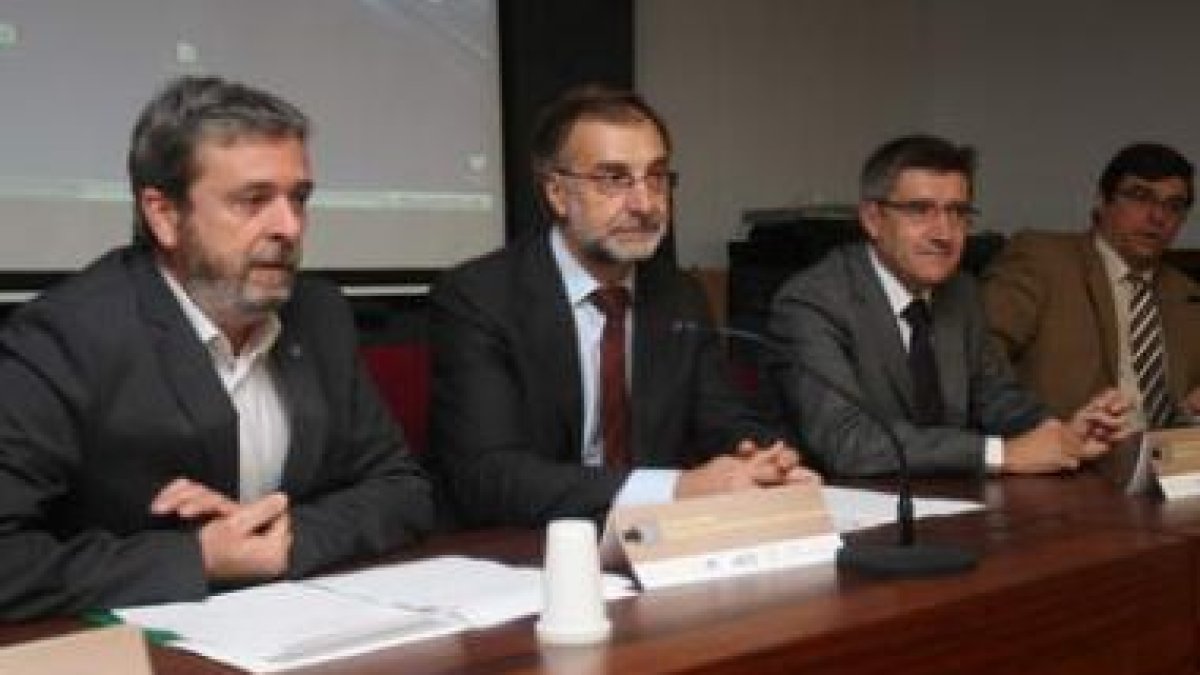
(614, 302)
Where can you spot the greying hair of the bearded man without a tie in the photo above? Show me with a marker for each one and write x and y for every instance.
(188, 111)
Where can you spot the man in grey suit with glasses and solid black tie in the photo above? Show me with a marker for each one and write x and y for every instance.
(893, 322)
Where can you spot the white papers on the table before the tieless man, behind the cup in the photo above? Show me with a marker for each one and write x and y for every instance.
(293, 624)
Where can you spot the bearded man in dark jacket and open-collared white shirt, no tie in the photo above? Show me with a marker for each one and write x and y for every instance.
(187, 415)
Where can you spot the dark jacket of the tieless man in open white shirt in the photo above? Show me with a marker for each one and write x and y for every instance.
(106, 395)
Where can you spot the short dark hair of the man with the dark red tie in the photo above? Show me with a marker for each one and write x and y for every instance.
(586, 103)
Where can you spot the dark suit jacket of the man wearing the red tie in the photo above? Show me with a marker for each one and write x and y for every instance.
(508, 413)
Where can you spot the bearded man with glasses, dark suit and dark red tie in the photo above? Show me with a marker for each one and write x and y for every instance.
(535, 417)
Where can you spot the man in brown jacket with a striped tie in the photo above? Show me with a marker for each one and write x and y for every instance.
(1081, 312)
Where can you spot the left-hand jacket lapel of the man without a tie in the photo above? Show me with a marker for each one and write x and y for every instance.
(191, 377)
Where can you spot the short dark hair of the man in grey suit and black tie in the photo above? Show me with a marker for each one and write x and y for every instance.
(917, 152)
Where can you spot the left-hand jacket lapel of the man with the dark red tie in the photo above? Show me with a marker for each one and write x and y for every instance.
(550, 327)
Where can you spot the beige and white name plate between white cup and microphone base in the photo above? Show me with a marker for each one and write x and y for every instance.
(722, 536)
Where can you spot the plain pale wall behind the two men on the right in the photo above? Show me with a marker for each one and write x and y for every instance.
(777, 103)
